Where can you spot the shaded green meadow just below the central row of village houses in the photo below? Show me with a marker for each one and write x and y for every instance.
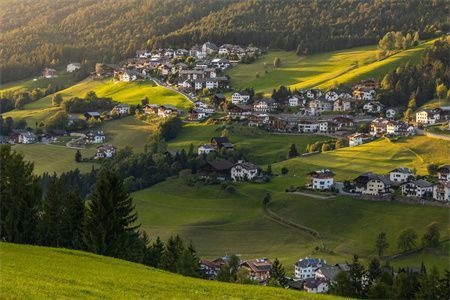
(263, 148)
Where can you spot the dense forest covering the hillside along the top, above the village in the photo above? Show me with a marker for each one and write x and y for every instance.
(35, 34)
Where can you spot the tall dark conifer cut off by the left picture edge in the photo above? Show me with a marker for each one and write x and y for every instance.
(20, 196)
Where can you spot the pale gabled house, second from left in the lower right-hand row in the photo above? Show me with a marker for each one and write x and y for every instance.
(372, 184)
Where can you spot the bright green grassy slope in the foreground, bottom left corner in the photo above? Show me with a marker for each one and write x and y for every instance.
(76, 274)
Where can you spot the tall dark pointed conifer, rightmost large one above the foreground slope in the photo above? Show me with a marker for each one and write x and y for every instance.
(109, 224)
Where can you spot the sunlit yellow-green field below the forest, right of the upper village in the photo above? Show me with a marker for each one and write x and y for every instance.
(322, 70)
